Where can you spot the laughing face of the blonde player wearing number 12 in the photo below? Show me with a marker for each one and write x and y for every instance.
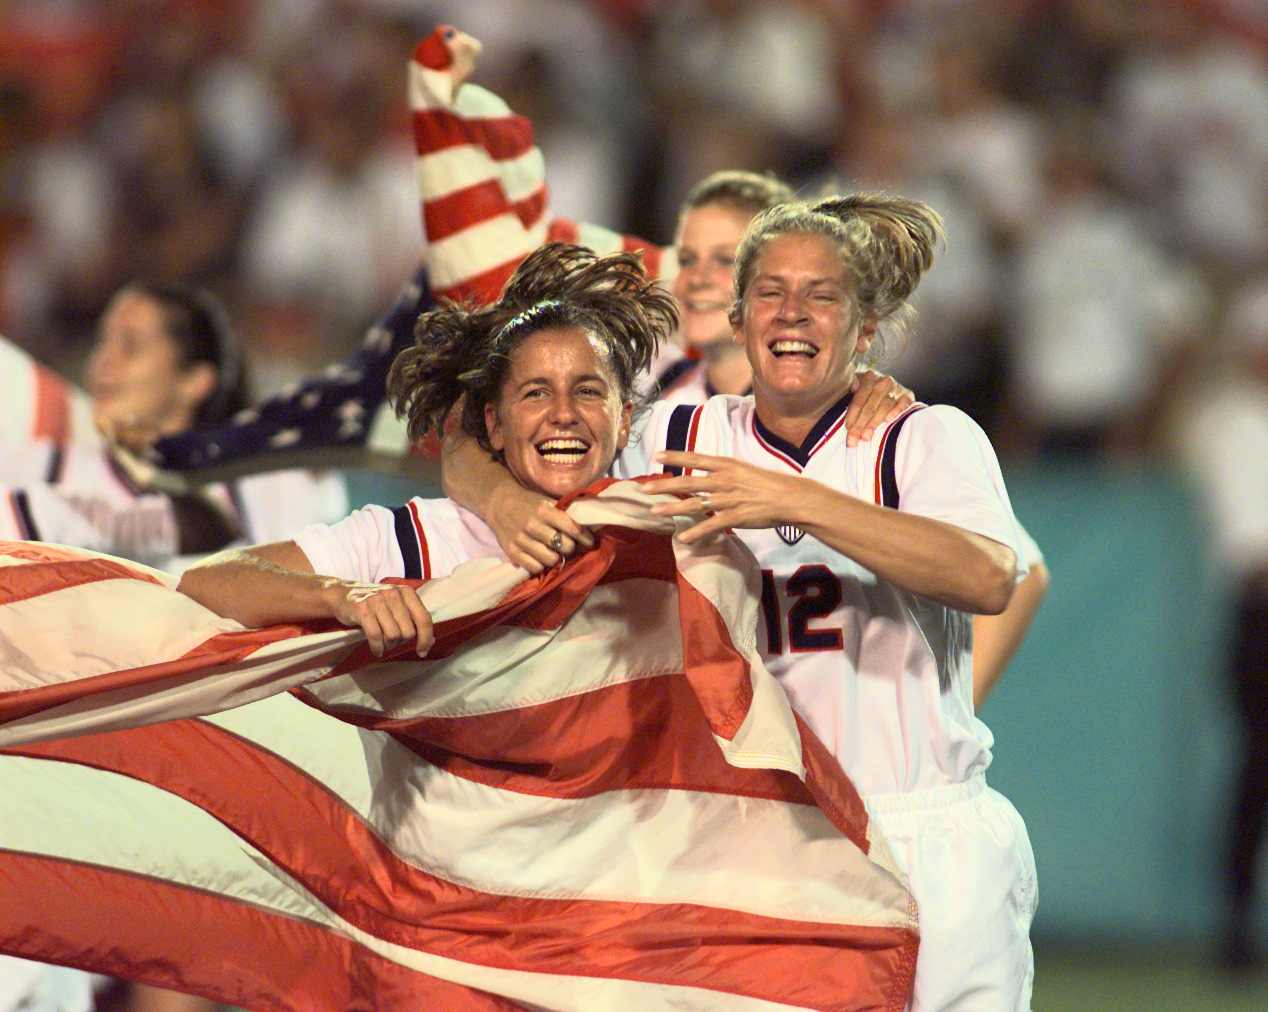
(798, 324)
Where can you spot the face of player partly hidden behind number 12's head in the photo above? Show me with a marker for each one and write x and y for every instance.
(707, 242)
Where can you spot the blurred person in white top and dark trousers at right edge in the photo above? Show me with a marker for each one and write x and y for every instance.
(1224, 446)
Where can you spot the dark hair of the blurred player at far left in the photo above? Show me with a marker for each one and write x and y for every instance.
(200, 327)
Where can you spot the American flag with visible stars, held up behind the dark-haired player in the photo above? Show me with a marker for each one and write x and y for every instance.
(485, 209)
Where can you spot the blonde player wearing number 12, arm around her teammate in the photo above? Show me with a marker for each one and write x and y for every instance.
(874, 559)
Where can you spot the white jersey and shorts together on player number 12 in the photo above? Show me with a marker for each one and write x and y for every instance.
(895, 701)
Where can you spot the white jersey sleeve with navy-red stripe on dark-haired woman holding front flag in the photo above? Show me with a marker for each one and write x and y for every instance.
(425, 540)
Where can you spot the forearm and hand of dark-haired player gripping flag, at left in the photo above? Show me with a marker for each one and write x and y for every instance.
(276, 584)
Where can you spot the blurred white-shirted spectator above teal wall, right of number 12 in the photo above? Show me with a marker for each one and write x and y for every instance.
(1101, 318)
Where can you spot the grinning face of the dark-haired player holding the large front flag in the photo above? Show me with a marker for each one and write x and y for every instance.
(560, 420)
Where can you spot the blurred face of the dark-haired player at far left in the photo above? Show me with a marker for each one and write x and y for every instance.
(135, 372)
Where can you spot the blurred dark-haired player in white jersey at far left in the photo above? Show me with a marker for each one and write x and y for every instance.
(165, 361)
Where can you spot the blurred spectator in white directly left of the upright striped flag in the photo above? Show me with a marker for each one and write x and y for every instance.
(337, 226)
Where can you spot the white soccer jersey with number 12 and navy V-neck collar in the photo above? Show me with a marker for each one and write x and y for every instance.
(883, 677)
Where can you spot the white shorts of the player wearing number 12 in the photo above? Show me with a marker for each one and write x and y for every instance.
(971, 866)
